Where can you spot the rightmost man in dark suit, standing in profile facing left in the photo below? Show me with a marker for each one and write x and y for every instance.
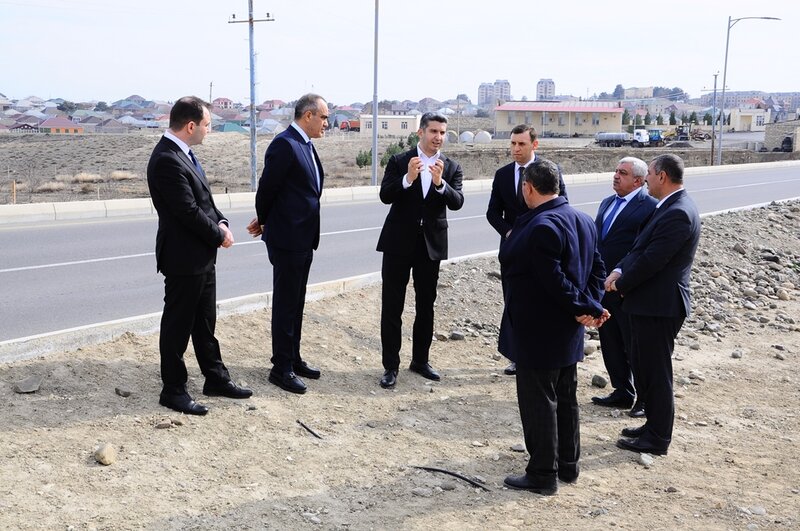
(653, 281)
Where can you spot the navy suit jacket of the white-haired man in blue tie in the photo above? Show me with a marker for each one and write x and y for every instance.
(622, 233)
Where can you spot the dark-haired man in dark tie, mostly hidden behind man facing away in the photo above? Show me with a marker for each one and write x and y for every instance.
(506, 202)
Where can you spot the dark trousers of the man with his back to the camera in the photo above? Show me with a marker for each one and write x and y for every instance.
(548, 407)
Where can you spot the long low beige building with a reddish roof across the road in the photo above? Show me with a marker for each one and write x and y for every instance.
(559, 118)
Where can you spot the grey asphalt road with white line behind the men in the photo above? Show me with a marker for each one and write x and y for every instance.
(59, 275)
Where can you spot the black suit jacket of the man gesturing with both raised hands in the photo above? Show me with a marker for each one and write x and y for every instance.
(410, 210)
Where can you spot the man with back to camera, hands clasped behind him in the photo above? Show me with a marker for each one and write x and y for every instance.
(555, 281)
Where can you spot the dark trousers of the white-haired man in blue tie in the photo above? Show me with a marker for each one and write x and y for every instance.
(615, 339)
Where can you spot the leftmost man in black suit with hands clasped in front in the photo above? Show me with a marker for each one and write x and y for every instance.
(190, 230)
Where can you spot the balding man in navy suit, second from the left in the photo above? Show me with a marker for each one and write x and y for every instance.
(287, 208)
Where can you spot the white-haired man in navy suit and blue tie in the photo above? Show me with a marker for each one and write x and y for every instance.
(618, 220)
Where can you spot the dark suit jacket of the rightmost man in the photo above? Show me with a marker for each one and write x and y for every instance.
(655, 274)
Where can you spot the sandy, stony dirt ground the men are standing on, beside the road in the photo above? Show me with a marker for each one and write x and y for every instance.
(250, 464)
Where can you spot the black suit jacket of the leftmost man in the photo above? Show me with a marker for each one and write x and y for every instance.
(188, 220)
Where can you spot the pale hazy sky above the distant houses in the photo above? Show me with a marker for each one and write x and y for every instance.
(86, 50)
